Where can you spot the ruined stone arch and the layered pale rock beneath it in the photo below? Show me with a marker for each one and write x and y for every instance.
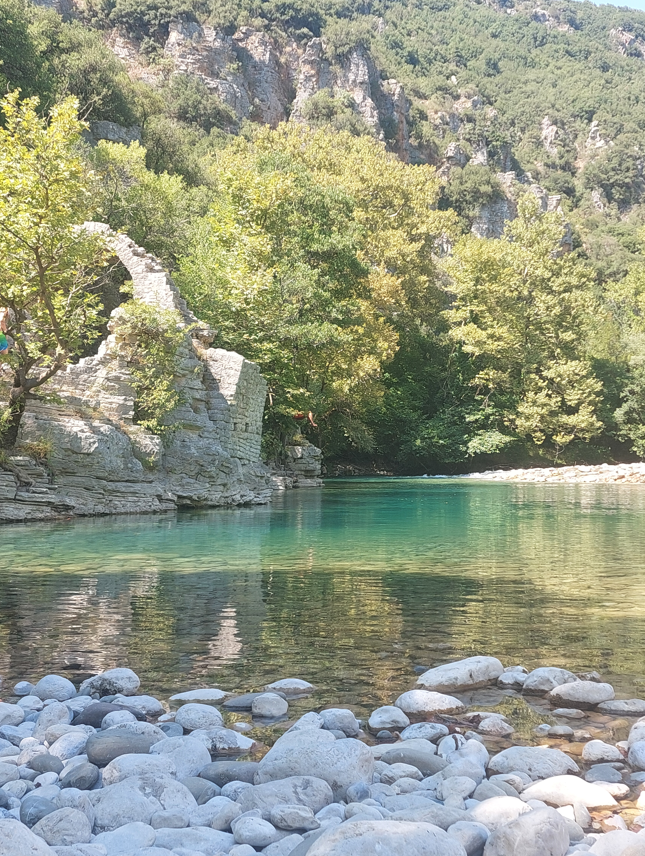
(101, 462)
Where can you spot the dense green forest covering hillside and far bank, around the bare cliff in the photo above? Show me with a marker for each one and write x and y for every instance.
(345, 267)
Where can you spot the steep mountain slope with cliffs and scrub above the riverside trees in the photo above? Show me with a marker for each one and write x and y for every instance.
(555, 94)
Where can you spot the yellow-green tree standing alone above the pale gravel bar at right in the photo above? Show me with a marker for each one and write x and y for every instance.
(519, 314)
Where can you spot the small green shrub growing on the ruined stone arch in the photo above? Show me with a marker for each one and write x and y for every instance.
(150, 339)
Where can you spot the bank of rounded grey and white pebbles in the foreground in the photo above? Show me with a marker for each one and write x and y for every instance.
(104, 770)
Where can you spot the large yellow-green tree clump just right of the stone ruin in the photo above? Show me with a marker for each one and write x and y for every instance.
(319, 245)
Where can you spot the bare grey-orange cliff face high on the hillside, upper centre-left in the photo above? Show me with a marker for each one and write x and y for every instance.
(269, 83)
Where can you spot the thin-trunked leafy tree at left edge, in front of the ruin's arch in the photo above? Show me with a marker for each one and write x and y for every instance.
(47, 263)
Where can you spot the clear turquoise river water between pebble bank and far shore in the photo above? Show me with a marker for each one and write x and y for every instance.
(348, 587)
